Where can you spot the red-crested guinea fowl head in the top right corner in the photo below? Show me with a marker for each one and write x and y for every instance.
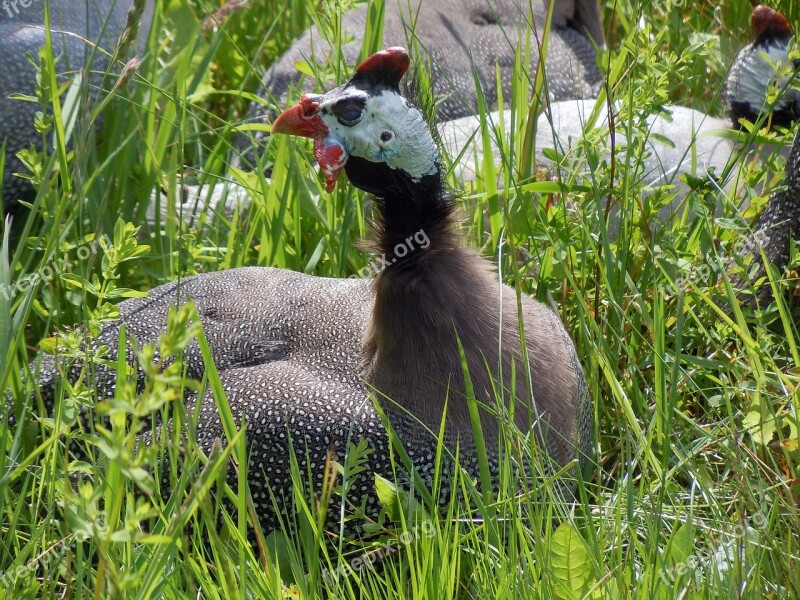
(758, 65)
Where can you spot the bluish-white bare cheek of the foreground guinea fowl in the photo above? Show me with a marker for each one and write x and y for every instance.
(391, 132)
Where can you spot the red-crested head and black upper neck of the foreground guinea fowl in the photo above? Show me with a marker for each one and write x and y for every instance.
(381, 140)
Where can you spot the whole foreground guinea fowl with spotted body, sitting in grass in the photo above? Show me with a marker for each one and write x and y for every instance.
(299, 352)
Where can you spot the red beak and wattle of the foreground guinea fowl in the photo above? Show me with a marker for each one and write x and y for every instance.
(304, 120)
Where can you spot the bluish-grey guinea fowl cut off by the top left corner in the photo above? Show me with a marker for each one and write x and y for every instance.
(21, 32)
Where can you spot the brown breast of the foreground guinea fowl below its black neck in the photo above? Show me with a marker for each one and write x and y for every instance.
(419, 319)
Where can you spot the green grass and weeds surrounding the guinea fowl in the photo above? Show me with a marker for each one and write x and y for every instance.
(695, 493)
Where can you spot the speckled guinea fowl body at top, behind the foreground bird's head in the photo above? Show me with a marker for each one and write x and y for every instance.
(465, 39)
